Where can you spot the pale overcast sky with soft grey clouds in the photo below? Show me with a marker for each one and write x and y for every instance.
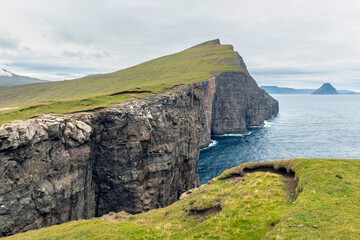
(288, 43)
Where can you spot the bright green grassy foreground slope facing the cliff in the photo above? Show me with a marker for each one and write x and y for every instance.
(257, 206)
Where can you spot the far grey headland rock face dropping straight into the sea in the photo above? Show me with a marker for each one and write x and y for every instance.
(234, 101)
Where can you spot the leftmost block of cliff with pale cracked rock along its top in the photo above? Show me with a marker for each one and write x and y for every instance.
(45, 174)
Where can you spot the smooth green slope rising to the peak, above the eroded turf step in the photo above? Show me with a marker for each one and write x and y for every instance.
(191, 65)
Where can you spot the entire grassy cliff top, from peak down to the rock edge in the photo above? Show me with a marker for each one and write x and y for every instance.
(195, 64)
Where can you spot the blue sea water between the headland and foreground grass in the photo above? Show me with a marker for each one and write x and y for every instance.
(307, 126)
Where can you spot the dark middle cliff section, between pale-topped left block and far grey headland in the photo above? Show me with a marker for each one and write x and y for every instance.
(146, 153)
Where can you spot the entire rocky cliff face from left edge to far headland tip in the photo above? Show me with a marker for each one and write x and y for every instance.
(137, 156)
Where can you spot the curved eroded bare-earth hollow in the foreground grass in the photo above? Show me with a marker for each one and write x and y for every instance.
(288, 174)
